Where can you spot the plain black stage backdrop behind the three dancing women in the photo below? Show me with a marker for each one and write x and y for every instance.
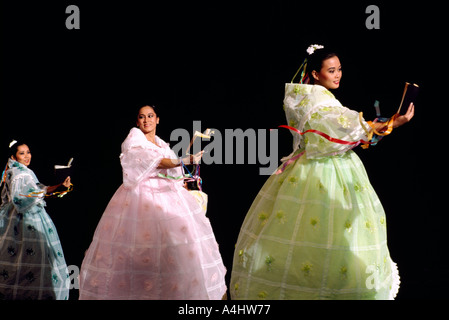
(75, 93)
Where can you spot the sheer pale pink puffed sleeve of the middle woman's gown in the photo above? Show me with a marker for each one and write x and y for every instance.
(138, 158)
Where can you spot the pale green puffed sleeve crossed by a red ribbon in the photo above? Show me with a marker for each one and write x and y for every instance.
(338, 122)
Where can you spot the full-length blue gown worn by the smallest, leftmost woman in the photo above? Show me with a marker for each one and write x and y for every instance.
(32, 264)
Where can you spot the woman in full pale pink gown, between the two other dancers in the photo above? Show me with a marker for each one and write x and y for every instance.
(153, 240)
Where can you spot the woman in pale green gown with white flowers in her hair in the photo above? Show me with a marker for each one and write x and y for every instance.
(316, 229)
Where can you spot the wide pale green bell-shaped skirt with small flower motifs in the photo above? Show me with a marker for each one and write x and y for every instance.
(315, 231)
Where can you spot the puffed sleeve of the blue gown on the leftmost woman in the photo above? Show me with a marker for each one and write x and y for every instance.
(26, 192)
